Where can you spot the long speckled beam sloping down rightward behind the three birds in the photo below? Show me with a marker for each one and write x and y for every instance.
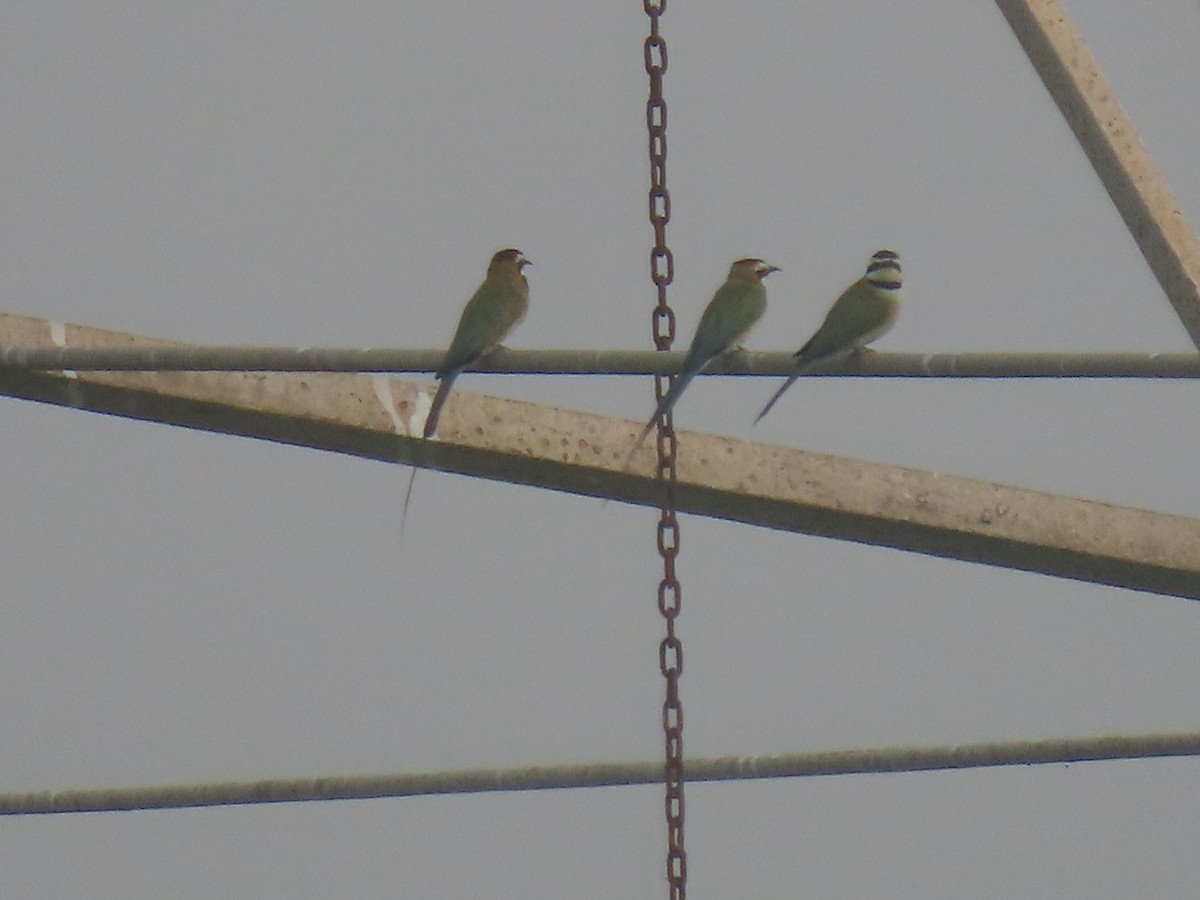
(581, 453)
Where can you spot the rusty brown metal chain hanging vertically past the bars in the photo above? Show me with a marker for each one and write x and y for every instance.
(663, 328)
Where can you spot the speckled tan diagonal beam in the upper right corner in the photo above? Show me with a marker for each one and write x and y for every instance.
(1138, 189)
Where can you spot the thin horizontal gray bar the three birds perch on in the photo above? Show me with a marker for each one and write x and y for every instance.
(595, 363)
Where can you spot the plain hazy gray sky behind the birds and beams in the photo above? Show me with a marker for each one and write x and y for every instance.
(183, 607)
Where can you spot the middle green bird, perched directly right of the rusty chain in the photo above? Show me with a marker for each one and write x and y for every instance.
(735, 309)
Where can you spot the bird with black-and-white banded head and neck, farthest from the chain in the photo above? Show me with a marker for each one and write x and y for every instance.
(863, 314)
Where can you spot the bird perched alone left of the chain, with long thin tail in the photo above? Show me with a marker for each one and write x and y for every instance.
(497, 308)
